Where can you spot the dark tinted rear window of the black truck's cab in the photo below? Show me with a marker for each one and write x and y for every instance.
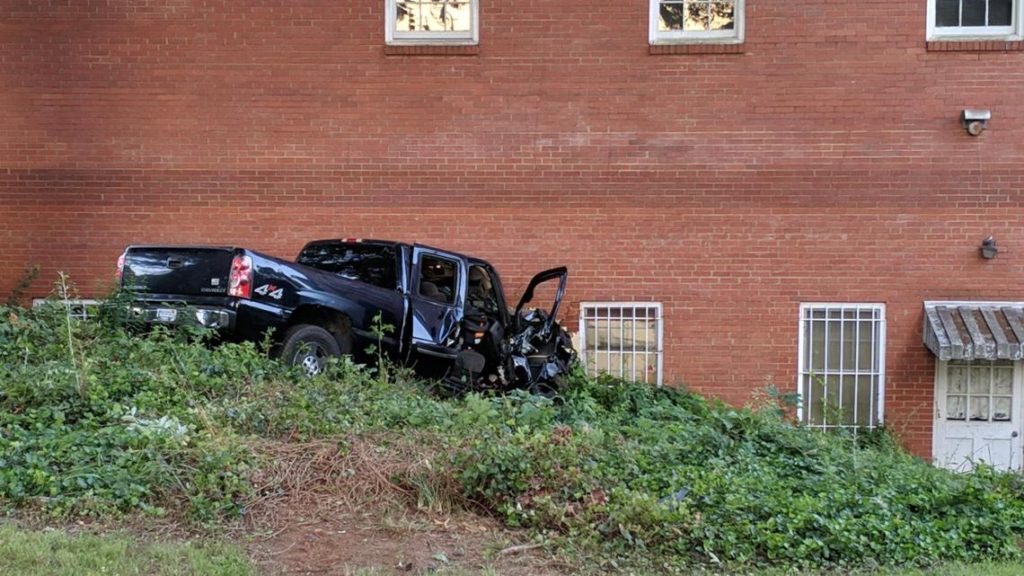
(373, 264)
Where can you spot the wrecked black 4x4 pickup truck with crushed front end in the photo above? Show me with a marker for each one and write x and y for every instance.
(448, 311)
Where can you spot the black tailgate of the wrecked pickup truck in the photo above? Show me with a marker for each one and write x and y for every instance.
(185, 271)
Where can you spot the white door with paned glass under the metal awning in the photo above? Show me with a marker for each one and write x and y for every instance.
(977, 416)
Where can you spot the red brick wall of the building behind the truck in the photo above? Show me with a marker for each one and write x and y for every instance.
(825, 163)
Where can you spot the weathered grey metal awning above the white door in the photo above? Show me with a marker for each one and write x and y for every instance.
(975, 331)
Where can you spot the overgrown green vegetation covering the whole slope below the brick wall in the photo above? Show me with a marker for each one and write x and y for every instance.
(98, 421)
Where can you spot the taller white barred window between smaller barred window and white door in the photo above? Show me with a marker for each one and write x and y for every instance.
(842, 365)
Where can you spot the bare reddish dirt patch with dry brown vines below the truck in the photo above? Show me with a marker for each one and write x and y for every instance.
(376, 506)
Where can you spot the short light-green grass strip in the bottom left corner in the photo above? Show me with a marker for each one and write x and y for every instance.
(31, 553)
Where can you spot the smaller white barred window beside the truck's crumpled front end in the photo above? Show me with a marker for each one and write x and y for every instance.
(623, 340)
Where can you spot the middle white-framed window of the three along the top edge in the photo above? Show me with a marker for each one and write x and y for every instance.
(680, 22)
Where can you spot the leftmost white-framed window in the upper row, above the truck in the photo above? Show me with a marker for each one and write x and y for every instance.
(433, 22)
